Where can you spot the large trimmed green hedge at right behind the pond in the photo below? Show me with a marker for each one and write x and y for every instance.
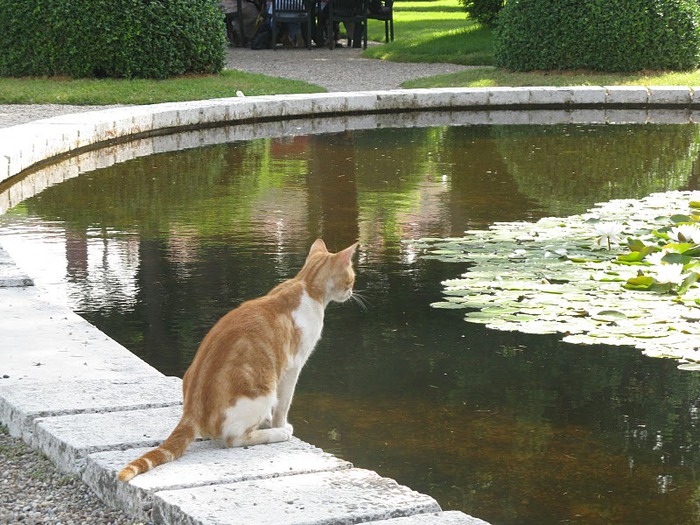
(604, 35)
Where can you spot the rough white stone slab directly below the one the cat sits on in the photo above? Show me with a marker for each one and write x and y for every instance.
(339, 497)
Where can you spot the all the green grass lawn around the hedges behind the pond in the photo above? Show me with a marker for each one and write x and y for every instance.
(426, 31)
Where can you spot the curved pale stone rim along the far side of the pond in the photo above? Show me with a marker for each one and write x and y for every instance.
(25, 146)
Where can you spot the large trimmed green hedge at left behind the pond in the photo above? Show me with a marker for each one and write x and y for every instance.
(110, 38)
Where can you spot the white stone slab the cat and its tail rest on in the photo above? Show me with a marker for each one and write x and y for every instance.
(205, 463)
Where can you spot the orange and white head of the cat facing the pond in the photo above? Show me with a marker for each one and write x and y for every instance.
(331, 272)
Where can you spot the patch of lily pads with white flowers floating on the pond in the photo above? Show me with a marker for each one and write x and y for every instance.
(575, 275)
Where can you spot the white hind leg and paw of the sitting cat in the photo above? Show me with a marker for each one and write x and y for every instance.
(241, 423)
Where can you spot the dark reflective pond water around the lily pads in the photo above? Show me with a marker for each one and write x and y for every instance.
(512, 428)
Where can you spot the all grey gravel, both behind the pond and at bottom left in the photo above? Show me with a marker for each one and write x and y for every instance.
(32, 490)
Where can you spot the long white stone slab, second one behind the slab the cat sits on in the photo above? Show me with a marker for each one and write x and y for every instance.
(23, 402)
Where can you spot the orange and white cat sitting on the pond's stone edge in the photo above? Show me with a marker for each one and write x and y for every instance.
(240, 384)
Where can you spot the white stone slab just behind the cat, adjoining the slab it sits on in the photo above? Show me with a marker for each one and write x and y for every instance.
(67, 440)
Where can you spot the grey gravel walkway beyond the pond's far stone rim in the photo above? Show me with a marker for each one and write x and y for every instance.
(342, 69)
